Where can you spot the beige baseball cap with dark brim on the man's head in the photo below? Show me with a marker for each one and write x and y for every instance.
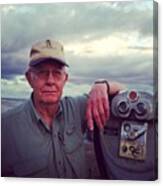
(47, 50)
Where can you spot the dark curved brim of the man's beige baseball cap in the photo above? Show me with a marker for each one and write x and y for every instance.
(43, 60)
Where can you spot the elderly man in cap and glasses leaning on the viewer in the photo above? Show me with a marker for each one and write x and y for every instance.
(44, 136)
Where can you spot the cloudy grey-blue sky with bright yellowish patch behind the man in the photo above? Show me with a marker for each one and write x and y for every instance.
(111, 40)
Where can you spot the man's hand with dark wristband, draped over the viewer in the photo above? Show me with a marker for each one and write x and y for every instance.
(98, 109)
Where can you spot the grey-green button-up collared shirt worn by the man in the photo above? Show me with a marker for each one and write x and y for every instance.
(31, 149)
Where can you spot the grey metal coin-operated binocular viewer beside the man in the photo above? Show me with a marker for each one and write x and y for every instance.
(126, 149)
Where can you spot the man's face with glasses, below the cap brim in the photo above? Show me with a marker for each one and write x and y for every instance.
(47, 80)
